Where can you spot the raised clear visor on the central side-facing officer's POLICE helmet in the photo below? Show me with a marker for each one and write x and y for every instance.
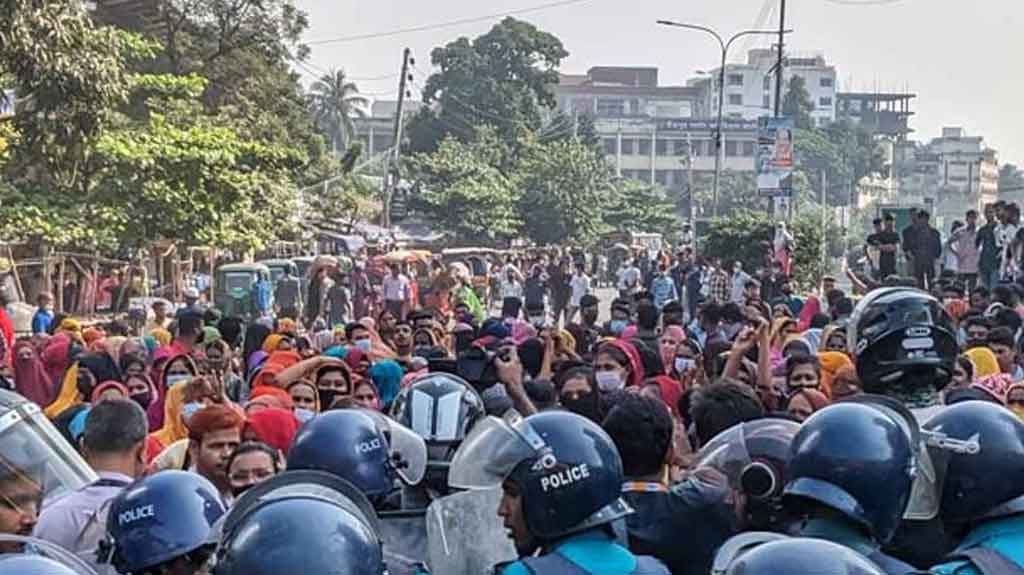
(490, 454)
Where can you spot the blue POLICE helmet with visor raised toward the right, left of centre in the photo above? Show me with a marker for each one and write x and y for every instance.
(362, 448)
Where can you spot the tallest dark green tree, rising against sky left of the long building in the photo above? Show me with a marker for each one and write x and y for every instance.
(502, 79)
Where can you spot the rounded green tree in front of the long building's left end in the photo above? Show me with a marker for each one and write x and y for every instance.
(567, 190)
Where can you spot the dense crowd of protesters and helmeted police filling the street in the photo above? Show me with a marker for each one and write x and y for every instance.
(716, 422)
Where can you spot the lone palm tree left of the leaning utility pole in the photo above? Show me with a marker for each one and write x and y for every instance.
(335, 102)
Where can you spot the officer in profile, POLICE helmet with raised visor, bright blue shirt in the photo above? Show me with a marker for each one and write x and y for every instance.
(562, 479)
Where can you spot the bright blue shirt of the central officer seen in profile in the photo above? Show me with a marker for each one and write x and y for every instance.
(594, 552)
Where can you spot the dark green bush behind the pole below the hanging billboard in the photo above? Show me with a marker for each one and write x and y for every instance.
(745, 236)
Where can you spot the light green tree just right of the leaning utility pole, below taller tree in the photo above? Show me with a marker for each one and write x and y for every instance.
(462, 191)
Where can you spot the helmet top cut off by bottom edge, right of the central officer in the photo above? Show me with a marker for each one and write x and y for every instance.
(797, 556)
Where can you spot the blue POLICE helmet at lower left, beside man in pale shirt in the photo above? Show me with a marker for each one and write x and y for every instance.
(160, 518)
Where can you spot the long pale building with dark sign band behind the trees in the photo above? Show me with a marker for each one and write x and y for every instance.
(657, 135)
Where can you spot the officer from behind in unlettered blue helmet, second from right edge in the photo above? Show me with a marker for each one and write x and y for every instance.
(851, 471)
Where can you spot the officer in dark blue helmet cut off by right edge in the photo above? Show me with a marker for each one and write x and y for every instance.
(984, 494)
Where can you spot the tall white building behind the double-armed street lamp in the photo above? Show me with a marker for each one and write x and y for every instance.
(750, 87)
